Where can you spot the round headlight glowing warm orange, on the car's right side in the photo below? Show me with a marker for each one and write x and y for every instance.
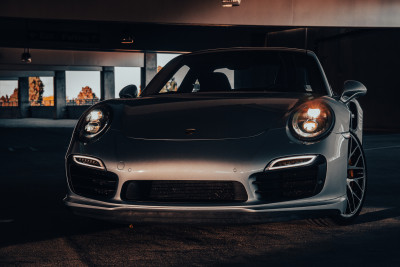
(311, 121)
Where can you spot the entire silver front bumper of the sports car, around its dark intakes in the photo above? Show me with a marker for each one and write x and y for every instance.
(160, 160)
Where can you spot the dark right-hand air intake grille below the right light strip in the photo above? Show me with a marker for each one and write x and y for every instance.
(290, 183)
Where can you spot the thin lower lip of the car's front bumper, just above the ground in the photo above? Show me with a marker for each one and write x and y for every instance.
(256, 213)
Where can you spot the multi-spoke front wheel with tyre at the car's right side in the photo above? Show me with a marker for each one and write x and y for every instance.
(356, 182)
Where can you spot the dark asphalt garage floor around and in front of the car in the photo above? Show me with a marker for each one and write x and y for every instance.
(36, 229)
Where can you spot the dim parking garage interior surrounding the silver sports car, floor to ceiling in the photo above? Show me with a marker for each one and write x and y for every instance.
(354, 40)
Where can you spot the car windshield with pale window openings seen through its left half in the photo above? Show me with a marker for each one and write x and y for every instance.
(246, 70)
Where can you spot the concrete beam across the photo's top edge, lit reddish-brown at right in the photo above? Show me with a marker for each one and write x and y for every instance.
(336, 13)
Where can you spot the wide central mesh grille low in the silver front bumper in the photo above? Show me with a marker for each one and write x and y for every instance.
(184, 191)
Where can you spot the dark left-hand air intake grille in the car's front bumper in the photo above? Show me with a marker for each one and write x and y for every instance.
(93, 183)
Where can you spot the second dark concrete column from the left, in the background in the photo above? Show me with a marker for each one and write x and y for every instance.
(60, 105)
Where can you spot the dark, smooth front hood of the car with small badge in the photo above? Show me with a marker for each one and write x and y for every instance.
(205, 117)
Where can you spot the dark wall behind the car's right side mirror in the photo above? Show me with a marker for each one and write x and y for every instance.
(371, 57)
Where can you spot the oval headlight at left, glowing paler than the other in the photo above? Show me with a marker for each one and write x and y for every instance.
(93, 123)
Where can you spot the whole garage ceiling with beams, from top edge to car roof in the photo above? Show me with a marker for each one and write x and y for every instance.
(86, 34)
